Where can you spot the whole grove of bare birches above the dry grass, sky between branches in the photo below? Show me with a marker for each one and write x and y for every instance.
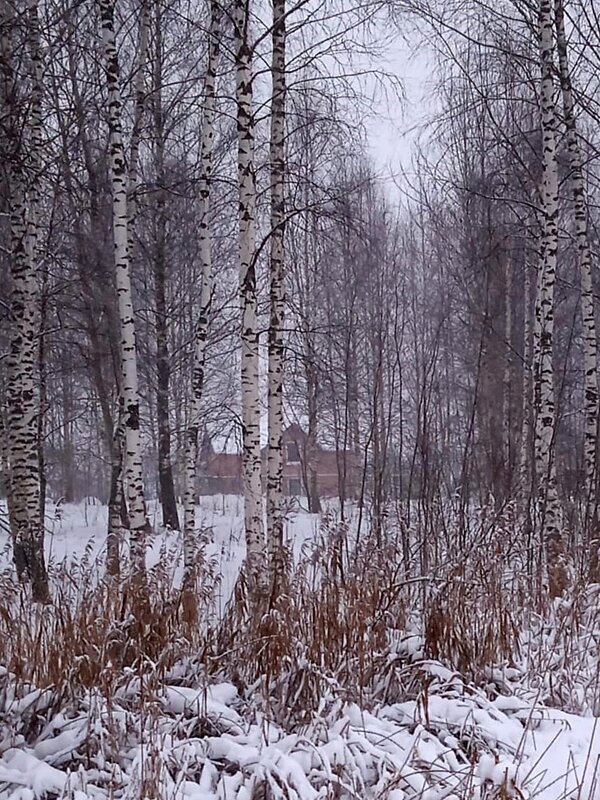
(218, 286)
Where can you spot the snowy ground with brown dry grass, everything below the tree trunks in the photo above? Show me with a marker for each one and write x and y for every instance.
(358, 684)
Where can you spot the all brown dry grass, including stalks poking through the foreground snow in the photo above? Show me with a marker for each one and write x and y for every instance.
(351, 623)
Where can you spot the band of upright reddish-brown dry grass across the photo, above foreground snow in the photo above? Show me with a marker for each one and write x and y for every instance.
(340, 609)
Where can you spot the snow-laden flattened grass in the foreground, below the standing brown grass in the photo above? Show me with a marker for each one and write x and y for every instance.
(210, 744)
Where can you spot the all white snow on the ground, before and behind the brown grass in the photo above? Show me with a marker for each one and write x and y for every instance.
(426, 734)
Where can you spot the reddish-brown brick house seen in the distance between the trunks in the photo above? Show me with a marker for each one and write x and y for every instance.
(221, 473)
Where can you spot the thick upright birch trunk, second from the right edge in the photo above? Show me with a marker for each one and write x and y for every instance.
(544, 404)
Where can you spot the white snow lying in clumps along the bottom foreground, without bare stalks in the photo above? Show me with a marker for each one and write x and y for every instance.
(362, 752)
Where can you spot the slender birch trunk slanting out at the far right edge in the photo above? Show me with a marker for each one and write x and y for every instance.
(590, 345)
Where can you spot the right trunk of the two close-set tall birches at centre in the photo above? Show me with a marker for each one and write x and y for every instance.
(276, 347)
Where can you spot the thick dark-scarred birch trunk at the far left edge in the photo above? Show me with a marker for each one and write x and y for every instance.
(23, 390)
